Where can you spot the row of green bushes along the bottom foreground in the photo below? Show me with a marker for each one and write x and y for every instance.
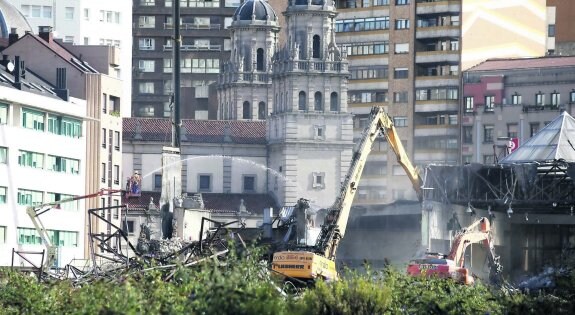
(241, 286)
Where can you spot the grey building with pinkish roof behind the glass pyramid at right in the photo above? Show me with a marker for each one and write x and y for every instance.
(507, 101)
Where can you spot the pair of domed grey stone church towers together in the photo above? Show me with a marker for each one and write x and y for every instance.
(299, 89)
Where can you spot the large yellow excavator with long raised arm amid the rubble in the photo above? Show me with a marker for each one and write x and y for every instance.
(311, 262)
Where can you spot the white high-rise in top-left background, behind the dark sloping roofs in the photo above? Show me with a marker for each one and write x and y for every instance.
(88, 22)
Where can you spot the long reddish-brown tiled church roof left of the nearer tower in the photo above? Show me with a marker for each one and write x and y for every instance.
(200, 131)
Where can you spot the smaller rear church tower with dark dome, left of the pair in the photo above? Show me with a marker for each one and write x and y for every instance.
(244, 89)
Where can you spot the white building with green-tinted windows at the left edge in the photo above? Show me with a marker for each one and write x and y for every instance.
(42, 159)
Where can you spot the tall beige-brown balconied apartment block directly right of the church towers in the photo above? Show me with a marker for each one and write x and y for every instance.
(404, 55)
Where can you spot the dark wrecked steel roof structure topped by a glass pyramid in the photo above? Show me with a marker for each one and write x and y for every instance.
(539, 174)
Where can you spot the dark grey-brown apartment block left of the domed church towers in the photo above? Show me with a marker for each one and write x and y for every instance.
(205, 43)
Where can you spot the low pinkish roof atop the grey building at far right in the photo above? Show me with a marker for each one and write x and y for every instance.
(524, 63)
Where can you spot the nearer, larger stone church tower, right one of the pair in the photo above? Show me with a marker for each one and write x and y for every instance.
(310, 132)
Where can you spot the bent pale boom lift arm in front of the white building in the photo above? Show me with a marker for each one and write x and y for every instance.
(34, 213)
